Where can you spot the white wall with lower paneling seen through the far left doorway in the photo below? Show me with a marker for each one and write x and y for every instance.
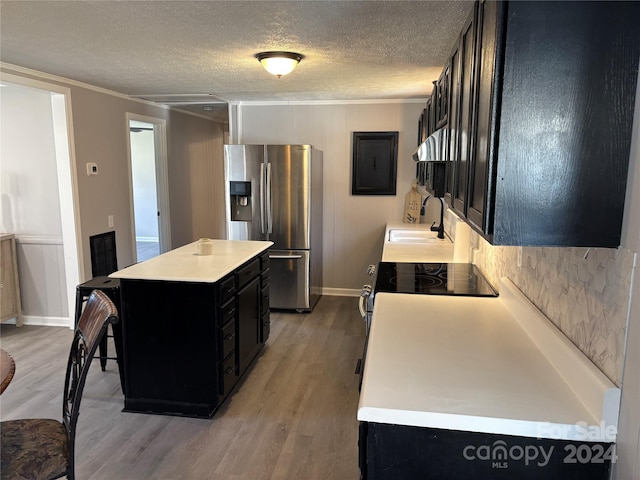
(30, 201)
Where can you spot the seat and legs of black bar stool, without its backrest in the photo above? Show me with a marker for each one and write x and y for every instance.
(111, 288)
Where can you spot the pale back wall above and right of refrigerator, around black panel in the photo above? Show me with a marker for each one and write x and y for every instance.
(353, 225)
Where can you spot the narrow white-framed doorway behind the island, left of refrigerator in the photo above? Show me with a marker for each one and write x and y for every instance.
(148, 188)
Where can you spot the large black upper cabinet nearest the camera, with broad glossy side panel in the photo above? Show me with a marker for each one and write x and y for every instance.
(540, 116)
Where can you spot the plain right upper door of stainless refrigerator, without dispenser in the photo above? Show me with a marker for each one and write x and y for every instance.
(289, 216)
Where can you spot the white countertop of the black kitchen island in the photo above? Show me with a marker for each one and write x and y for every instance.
(185, 265)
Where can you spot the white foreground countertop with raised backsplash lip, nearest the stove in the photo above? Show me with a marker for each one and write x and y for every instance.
(475, 364)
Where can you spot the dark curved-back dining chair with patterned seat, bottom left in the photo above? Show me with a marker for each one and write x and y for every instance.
(41, 448)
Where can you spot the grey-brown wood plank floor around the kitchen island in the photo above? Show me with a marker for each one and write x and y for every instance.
(293, 416)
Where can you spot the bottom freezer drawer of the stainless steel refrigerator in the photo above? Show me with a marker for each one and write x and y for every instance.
(289, 285)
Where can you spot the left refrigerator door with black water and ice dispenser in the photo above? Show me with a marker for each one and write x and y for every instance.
(245, 192)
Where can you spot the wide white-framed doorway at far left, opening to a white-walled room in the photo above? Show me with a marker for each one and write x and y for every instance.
(39, 199)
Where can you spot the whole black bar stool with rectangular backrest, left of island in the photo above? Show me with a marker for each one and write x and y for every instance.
(104, 262)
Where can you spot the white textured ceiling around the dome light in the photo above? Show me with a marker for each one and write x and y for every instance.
(203, 51)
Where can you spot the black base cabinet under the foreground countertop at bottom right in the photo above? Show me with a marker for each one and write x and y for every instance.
(396, 452)
